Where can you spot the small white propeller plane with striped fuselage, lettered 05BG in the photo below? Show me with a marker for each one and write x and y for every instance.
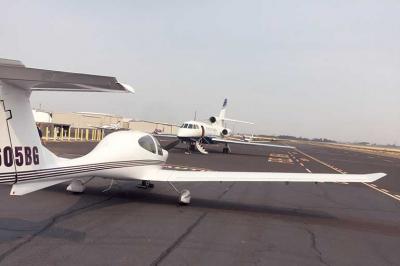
(122, 155)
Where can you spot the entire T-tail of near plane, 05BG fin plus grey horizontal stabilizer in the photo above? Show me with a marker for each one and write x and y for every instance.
(21, 151)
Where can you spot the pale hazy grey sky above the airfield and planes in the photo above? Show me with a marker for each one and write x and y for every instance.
(306, 68)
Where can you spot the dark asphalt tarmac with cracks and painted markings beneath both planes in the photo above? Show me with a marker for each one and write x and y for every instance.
(225, 224)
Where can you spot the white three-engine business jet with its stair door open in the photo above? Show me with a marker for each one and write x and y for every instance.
(196, 133)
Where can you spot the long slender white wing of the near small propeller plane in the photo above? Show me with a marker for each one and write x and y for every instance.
(216, 176)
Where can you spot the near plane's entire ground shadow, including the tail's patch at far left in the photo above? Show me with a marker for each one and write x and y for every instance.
(94, 199)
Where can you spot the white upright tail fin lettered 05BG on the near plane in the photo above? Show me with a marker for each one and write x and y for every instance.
(20, 146)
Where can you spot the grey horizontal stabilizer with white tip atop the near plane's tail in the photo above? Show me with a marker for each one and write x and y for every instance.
(14, 73)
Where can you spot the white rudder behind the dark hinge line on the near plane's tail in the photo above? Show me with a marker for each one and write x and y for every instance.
(7, 165)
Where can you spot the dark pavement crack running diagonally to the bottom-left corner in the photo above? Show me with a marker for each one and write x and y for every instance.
(47, 226)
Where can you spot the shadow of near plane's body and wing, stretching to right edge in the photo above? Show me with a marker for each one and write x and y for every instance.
(129, 193)
